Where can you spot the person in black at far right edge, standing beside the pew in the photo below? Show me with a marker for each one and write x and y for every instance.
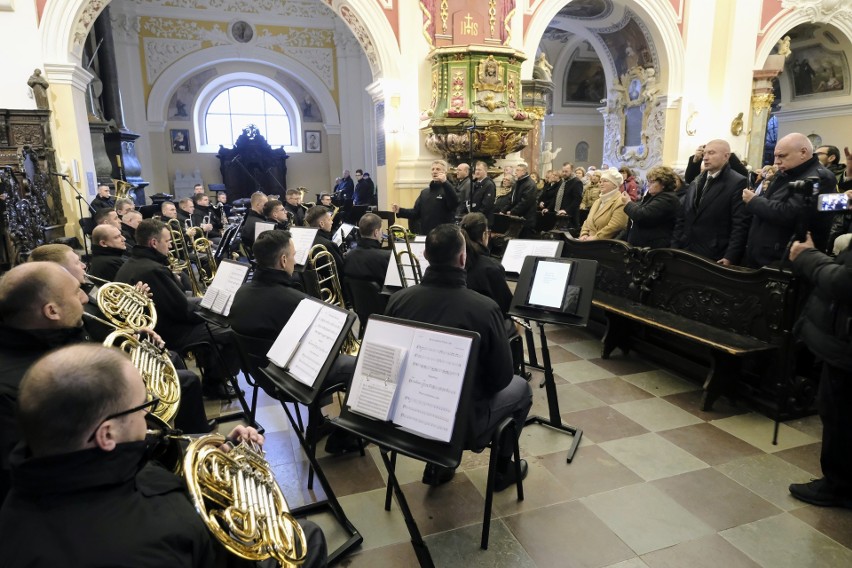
(826, 328)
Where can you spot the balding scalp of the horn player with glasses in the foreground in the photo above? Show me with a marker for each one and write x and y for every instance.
(66, 393)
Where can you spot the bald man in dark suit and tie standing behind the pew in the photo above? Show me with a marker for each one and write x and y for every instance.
(713, 221)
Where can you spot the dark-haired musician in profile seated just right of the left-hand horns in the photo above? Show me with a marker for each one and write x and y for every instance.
(177, 320)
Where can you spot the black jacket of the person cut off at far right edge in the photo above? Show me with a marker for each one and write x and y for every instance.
(826, 321)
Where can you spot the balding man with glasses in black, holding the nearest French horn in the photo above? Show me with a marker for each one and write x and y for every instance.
(82, 418)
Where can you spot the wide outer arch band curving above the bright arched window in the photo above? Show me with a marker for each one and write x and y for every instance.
(171, 78)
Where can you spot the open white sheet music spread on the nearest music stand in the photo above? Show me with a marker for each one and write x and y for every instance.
(430, 381)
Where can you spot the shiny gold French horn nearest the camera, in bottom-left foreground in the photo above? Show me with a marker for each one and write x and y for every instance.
(236, 495)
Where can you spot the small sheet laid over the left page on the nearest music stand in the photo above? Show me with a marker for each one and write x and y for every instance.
(374, 382)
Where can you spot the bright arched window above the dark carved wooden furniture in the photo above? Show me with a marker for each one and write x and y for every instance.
(236, 107)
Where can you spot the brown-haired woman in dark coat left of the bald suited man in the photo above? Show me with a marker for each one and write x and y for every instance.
(653, 217)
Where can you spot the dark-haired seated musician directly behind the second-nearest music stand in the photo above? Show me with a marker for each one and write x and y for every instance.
(273, 285)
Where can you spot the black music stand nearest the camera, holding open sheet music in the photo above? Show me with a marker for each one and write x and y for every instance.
(394, 440)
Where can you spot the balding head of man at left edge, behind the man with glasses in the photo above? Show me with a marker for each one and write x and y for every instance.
(40, 295)
